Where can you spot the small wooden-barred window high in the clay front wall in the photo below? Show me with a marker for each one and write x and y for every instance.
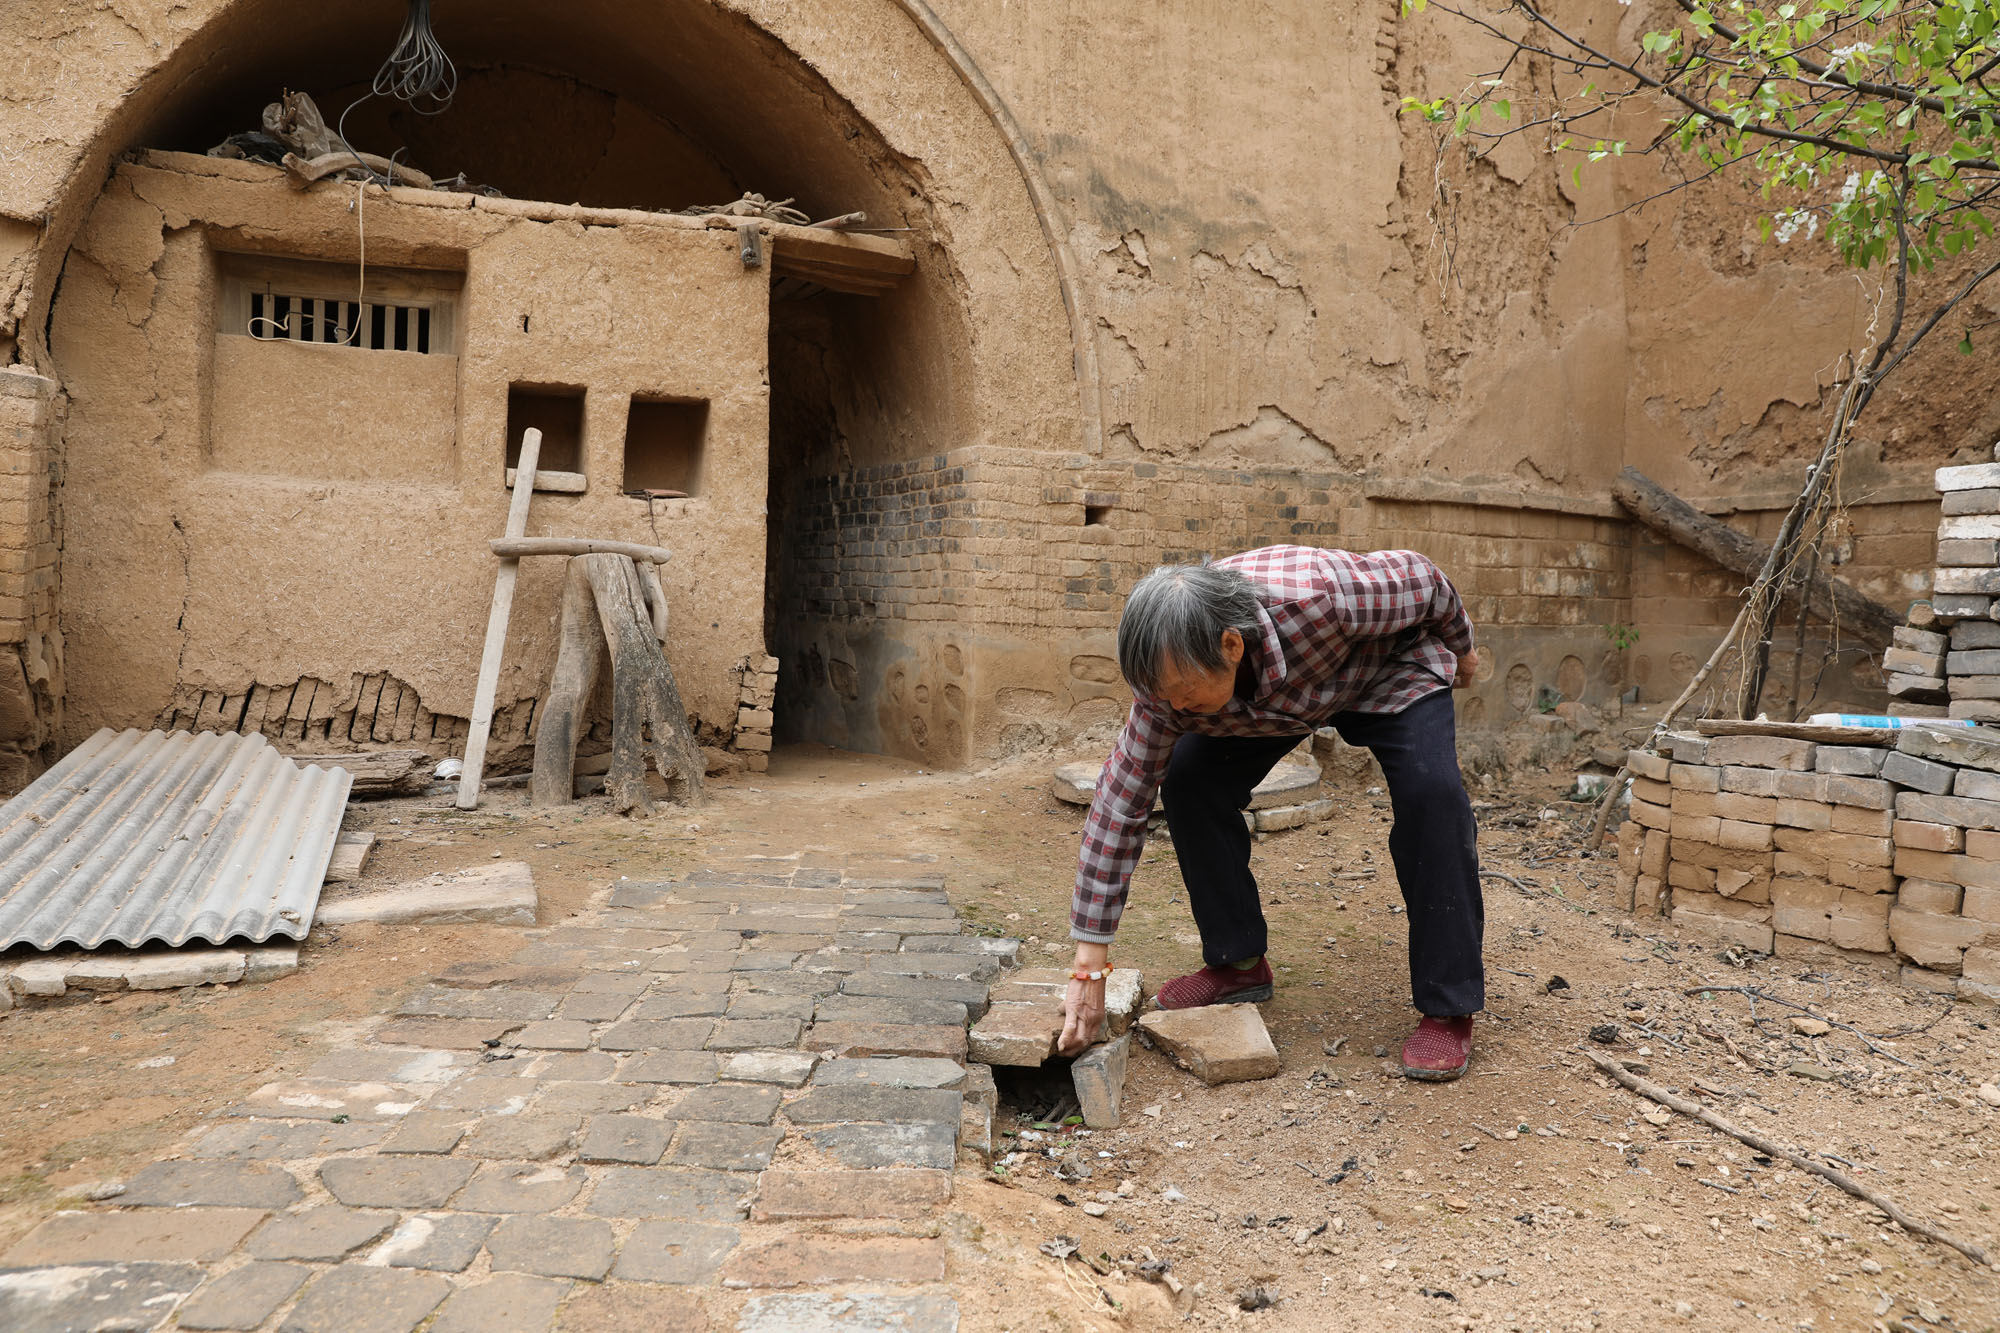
(335, 305)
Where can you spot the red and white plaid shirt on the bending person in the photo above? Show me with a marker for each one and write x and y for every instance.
(1343, 631)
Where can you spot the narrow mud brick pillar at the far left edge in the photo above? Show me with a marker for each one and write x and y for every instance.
(31, 543)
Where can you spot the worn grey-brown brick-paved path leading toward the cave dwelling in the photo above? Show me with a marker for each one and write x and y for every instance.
(727, 1102)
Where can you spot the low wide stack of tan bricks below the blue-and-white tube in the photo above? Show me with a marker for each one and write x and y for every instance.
(1787, 846)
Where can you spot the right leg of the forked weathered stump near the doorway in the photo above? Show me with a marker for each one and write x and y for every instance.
(649, 720)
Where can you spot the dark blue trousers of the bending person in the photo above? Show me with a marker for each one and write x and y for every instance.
(1433, 844)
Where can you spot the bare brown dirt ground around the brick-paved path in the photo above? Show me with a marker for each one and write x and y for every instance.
(1531, 1196)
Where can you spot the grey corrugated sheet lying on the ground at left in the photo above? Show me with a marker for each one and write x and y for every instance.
(149, 836)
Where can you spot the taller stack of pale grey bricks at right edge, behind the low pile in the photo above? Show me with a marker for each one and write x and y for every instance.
(1955, 657)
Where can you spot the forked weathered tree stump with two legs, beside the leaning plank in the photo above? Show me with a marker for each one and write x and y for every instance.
(649, 720)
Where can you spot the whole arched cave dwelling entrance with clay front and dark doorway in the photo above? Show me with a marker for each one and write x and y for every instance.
(261, 537)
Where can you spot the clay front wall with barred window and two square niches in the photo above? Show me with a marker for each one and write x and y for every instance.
(249, 515)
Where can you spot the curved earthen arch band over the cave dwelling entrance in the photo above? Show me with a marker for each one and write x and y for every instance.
(885, 67)
